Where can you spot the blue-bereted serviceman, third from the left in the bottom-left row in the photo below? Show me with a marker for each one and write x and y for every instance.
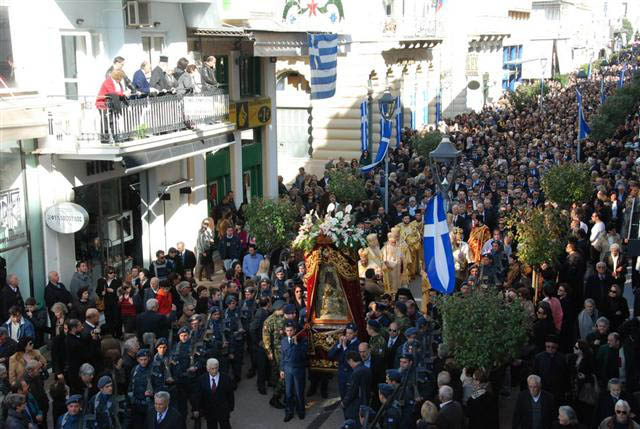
(140, 392)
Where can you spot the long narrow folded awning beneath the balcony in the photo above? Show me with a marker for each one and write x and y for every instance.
(138, 161)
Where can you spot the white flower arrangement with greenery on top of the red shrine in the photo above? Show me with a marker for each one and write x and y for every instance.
(336, 229)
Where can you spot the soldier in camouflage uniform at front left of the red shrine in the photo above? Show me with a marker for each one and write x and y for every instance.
(272, 333)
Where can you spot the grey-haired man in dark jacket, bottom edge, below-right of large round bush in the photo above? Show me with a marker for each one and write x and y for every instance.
(535, 408)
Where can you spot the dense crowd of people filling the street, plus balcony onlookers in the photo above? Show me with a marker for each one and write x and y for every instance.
(163, 347)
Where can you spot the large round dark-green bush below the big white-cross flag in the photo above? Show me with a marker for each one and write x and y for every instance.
(481, 329)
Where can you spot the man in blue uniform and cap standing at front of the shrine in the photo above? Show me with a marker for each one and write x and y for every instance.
(292, 370)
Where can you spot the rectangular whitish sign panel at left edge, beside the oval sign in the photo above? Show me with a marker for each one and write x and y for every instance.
(13, 228)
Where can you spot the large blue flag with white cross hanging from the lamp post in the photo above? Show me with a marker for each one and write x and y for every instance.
(438, 254)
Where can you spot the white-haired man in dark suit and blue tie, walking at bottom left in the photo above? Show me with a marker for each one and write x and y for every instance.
(213, 397)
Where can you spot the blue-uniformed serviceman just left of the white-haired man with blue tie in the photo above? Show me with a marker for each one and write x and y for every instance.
(183, 370)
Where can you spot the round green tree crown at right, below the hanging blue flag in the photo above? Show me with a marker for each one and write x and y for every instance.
(567, 184)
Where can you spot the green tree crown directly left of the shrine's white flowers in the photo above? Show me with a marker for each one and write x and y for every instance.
(272, 223)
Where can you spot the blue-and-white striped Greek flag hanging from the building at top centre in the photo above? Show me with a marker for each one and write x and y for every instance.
(323, 58)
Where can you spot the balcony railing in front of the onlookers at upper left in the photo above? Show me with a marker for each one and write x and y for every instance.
(90, 120)
